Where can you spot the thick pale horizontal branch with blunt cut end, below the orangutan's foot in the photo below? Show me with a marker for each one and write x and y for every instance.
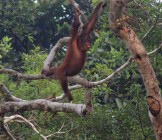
(42, 104)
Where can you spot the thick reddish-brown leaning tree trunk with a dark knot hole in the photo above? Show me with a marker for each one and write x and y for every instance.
(141, 58)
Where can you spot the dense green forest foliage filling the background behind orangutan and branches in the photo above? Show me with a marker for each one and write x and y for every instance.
(120, 107)
